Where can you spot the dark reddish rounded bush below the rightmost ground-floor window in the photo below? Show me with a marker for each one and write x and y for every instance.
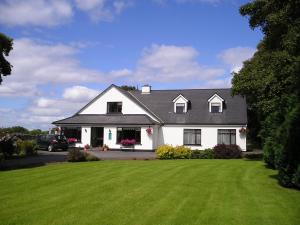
(223, 151)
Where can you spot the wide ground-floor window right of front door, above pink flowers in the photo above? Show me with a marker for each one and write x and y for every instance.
(129, 133)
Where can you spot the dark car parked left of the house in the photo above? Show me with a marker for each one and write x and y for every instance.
(52, 142)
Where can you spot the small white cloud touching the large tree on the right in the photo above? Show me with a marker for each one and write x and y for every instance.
(234, 57)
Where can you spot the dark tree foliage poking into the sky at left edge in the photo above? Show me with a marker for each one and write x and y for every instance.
(6, 45)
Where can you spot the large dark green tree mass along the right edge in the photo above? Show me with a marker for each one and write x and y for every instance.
(270, 82)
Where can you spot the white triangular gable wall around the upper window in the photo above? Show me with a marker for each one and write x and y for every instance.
(114, 95)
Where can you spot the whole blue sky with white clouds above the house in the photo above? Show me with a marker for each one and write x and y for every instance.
(67, 51)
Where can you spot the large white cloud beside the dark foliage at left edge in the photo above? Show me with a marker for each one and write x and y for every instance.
(37, 64)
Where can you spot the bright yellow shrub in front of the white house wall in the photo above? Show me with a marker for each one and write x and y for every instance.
(170, 152)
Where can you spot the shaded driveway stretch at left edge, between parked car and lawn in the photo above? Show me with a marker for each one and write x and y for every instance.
(43, 157)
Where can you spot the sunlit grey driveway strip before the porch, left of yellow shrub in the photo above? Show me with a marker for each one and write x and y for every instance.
(121, 155)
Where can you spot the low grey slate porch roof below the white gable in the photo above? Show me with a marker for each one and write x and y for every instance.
(115, 119)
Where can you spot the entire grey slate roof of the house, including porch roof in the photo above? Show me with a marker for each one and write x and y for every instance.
(159, 103)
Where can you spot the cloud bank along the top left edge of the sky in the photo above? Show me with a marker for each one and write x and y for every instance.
(55, 12)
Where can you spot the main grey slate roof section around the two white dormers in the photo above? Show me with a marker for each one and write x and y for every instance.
(160, 103)
